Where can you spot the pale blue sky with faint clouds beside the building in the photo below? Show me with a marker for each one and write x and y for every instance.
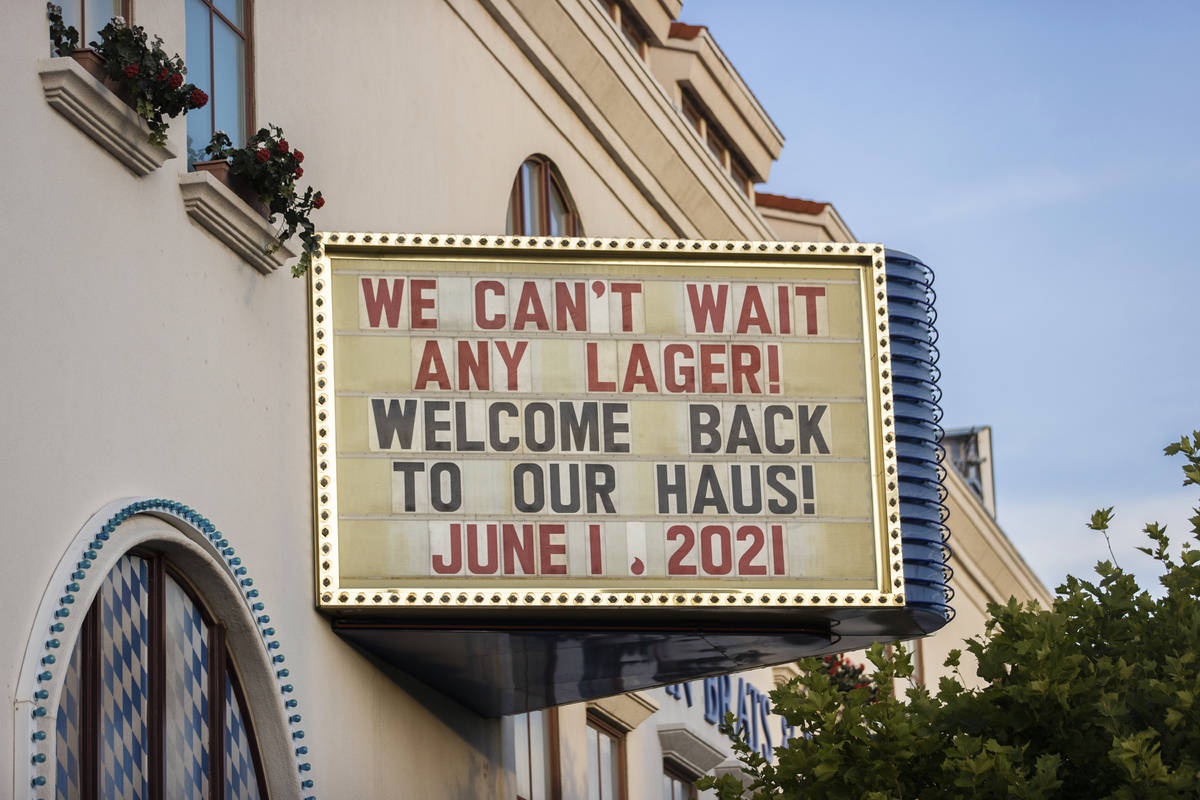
(1043, 159)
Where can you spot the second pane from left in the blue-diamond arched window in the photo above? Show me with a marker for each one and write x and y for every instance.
(123, 681)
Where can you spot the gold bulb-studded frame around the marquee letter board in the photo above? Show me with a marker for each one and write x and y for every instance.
(459, 597)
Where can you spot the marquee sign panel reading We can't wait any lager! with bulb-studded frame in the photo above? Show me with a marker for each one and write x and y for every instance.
(562, 424)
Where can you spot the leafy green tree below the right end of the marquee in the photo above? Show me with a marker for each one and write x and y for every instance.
(1096, 697)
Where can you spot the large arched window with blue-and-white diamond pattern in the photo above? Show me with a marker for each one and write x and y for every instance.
(152, 705)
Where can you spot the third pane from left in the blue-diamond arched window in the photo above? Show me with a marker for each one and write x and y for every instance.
(187, 701)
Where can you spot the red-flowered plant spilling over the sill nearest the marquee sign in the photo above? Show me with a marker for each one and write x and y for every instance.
(268, 169)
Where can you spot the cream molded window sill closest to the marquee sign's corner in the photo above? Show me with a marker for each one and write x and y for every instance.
(217, 209)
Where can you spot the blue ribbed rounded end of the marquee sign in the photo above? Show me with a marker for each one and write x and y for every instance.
(923, 533)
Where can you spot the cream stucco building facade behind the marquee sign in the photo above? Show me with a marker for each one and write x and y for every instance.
(163, 639)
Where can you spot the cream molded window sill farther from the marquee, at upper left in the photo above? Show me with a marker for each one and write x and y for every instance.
(99, 113)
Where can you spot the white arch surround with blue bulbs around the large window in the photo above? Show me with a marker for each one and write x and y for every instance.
(56, 631)
